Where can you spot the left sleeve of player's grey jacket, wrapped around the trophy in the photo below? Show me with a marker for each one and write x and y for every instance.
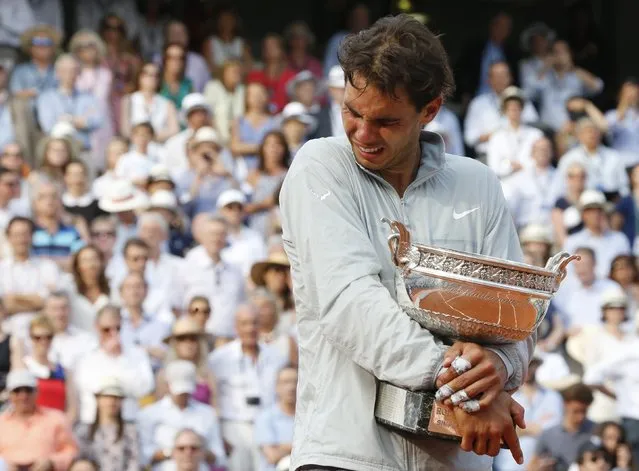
(332, 254)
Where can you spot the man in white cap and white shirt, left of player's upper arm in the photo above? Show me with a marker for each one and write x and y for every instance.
(246, 246)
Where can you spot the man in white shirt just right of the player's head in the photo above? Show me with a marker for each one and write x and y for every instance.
(484, 115)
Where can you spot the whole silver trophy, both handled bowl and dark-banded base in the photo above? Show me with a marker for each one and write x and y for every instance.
(461, 296)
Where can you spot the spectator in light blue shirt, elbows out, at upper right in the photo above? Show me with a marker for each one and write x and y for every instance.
(560, 80)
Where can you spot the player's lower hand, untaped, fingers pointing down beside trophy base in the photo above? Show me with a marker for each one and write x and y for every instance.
(483, 431)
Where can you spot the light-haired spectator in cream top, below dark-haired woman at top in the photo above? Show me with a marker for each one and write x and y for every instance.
(227, 98)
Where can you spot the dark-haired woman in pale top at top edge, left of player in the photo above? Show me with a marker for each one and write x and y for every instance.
(226, 43)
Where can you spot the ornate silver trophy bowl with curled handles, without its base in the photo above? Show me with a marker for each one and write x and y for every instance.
(458, 295)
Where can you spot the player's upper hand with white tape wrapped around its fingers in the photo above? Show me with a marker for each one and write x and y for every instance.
(486, 376)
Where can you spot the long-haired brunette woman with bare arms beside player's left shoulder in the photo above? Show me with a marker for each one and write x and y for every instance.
(274, 158)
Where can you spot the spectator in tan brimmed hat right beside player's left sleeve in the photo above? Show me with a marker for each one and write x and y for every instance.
(273, 273)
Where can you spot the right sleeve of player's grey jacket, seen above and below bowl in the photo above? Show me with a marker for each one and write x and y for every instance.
(501, 240)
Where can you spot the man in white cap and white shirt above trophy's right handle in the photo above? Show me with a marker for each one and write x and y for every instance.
(605, 243)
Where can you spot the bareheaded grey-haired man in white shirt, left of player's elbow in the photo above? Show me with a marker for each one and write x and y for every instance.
(205, 273)
